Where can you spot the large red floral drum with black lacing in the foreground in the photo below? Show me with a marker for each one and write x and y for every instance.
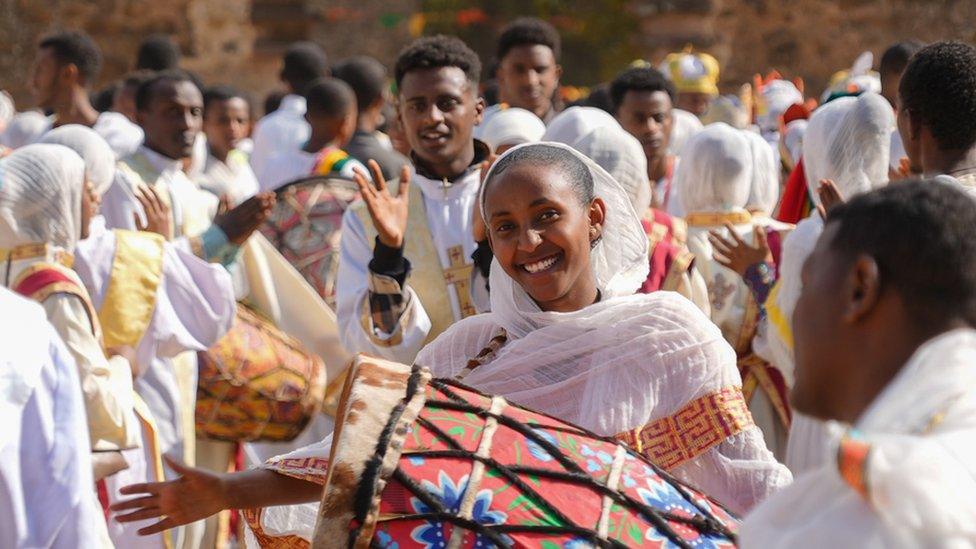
(422, 462)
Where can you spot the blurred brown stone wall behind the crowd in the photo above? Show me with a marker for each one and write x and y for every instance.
(240, 41)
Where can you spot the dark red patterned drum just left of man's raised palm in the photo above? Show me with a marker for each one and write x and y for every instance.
(305, 226)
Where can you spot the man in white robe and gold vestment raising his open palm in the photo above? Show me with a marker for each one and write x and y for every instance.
(421, 225)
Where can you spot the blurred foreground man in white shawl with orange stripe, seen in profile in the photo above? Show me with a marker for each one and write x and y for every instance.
(897, 374)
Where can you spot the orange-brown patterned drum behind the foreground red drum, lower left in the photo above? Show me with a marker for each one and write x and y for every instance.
(257, 383)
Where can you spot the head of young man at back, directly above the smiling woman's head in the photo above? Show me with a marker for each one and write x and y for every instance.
(528, 69)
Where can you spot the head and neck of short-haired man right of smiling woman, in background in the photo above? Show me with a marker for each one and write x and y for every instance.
(643, 104)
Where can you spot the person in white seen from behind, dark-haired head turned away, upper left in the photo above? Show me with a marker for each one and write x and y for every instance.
(286, 129)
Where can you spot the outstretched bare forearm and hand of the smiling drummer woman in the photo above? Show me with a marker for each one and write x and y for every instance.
(198, 494)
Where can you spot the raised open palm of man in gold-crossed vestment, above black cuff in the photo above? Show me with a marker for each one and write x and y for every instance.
(388, 212)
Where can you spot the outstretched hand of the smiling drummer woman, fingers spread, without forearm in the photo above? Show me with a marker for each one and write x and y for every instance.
(196, 495)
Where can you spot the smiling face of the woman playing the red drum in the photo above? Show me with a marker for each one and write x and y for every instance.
(541, 235)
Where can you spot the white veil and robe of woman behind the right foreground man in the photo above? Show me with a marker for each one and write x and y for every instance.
(847, 141)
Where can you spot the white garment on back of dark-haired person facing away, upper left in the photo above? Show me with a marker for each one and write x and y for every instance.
(282, 130)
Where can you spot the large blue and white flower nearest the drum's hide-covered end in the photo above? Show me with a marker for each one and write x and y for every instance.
(431, 533)
